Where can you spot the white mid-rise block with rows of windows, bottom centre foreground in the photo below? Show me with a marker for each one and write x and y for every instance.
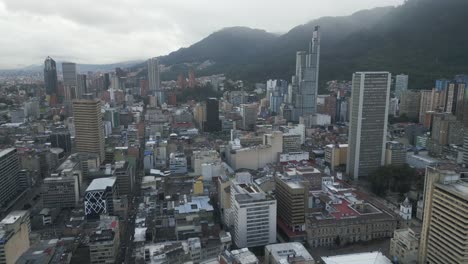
(254, 213)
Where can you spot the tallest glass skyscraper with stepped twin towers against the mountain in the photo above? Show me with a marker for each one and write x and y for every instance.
(305, 82)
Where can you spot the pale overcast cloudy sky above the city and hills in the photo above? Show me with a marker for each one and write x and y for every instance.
(108, 31)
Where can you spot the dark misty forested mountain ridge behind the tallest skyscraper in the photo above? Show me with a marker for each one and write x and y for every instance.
(426, 39)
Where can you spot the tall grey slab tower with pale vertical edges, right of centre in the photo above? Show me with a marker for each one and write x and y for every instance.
(368, 122)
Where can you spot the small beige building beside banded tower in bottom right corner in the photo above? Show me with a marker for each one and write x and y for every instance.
(404, 246)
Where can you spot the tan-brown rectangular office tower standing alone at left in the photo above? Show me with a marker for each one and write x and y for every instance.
(89, 134)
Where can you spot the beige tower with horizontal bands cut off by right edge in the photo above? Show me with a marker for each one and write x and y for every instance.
(444, 235)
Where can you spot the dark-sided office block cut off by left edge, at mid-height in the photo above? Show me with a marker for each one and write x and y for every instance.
(9, 169)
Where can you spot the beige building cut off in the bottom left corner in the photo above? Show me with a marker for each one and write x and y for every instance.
(14, 234)
